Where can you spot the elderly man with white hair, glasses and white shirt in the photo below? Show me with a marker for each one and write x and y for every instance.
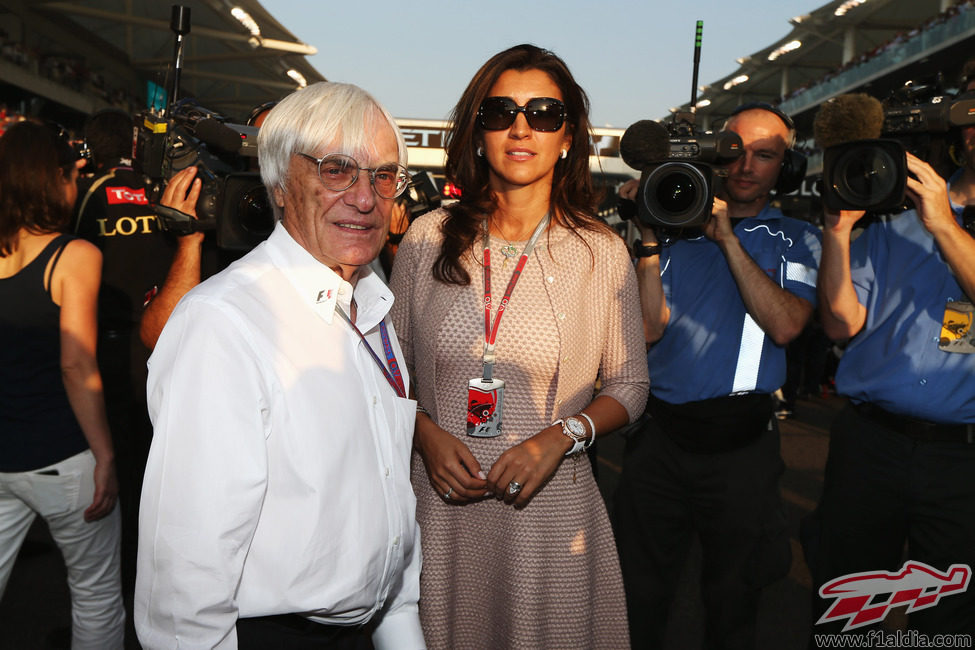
(277, 509)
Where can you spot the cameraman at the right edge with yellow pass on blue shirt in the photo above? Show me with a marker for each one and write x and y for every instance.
(902, 459)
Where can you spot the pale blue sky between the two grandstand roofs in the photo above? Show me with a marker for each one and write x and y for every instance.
(633, 58)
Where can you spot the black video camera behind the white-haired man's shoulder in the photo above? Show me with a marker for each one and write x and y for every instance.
(233, 201)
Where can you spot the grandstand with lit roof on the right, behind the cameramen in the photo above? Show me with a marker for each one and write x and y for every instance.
(870, 46)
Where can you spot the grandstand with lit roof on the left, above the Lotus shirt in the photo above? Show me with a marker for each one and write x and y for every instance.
(66, 59)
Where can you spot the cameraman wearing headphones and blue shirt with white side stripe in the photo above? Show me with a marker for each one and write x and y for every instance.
(718, 311)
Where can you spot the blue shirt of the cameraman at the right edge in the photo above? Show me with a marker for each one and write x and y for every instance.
(894, 361)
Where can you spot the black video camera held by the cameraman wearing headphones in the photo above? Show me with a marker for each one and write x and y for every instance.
(677, 189)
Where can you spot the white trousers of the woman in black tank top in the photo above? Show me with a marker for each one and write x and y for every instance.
(60, 493)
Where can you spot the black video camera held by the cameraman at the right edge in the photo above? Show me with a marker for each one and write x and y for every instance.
(871, 174)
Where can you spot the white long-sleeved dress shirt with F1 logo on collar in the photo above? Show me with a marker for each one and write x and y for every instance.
(278, 479)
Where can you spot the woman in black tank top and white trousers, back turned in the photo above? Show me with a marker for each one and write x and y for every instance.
(56, 457)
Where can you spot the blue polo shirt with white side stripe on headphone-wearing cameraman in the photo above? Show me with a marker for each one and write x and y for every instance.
(712, 347)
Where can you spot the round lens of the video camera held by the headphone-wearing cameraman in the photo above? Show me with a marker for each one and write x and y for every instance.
(677, 194)
